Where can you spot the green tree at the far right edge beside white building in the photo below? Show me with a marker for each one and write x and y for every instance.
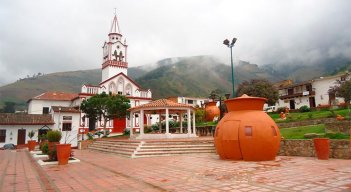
(342, 89)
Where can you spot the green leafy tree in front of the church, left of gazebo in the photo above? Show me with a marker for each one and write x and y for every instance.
(105, 107)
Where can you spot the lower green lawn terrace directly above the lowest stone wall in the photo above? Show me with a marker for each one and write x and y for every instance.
(298, 132)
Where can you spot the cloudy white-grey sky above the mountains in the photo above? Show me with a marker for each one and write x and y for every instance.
(60, 35)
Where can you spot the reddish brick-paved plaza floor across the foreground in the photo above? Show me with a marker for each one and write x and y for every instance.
(106, 172)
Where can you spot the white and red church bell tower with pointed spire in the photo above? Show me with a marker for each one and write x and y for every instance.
(114, 53)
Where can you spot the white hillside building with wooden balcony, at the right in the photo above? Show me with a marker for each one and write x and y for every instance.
(313, 93)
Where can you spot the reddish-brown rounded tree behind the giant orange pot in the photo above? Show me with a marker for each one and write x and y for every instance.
(259, 88)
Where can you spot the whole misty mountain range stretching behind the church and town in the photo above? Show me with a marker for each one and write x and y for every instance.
(183, 76)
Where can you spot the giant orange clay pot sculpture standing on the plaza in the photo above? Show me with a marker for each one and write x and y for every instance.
(247, 132)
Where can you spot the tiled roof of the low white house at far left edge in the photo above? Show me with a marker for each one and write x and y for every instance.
(25, 119)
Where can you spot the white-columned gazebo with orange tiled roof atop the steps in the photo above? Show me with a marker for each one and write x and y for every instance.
(163, 107)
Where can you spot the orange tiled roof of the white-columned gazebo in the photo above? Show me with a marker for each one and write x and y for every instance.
(161, 103)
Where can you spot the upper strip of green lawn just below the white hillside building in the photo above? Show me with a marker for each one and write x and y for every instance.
(310, 115)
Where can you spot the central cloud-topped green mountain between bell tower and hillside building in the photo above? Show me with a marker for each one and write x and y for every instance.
(197, 77)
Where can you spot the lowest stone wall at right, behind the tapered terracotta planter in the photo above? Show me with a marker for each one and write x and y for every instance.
(339, 149)
